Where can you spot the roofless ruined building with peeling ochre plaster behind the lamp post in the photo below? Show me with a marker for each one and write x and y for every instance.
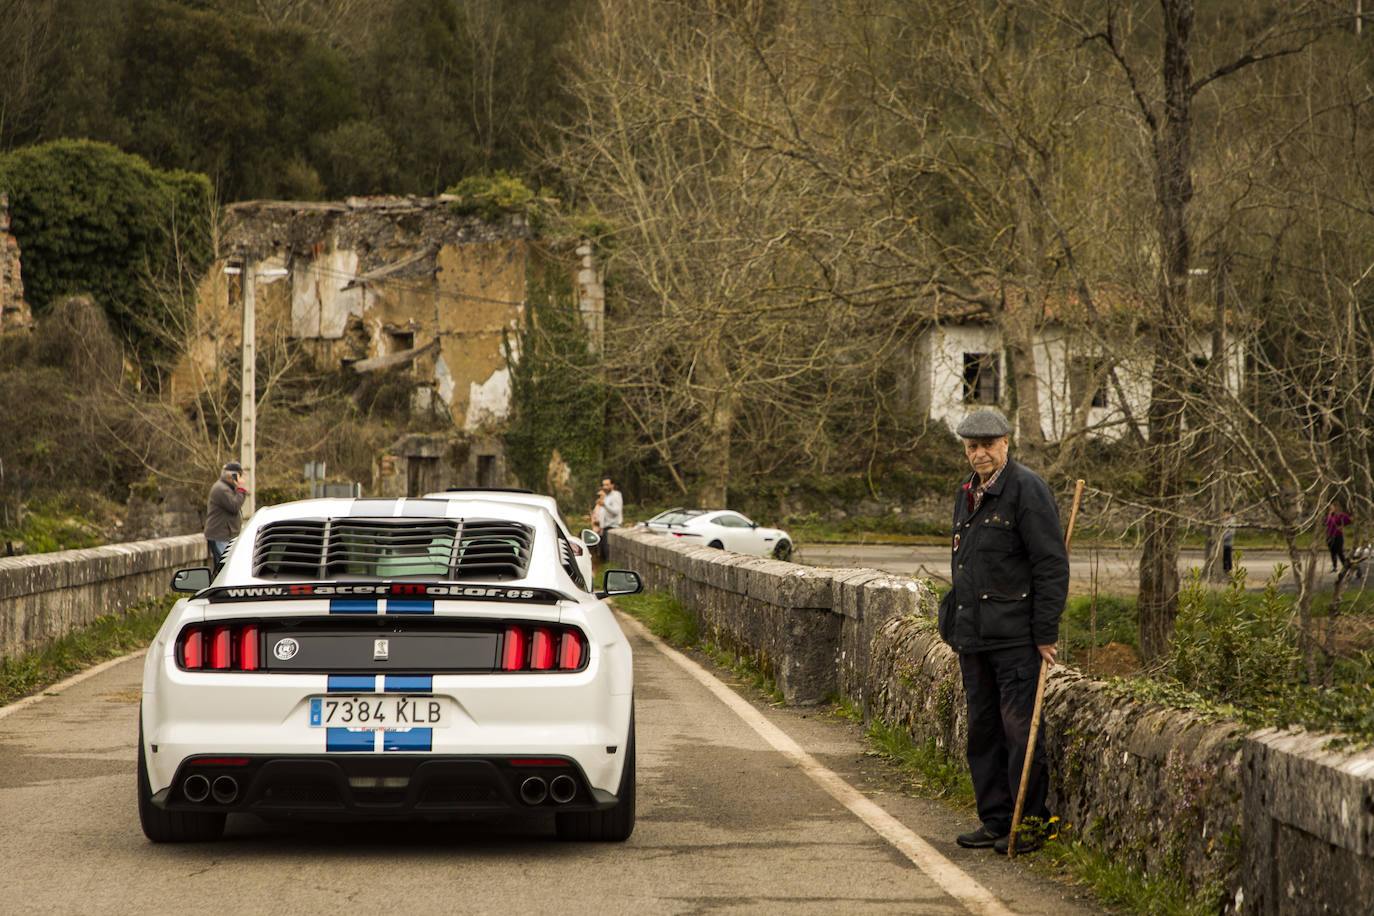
(383, 284)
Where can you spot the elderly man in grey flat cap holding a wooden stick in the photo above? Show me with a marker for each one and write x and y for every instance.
(1011, 577)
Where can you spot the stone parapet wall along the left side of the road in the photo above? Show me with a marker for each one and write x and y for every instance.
(46, 597)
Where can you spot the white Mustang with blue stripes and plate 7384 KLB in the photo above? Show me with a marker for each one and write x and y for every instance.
(377, 659)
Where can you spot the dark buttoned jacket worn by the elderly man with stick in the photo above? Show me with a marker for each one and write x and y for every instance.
(1009, 566)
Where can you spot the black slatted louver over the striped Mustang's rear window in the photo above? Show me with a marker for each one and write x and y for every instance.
(484, 550)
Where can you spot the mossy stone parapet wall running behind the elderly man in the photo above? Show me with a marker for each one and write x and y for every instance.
(1268, 823)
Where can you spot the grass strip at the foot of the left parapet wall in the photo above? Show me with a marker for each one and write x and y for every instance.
(106, 638)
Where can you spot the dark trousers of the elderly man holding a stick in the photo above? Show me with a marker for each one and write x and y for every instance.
(1001, 691)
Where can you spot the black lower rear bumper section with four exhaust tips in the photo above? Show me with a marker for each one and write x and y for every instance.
(398, 786)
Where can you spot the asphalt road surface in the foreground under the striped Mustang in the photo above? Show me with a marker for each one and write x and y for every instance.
(743, 810)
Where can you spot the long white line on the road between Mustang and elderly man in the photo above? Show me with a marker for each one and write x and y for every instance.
(954, 881)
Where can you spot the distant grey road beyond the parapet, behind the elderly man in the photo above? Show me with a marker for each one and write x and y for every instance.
(1110, 569)
